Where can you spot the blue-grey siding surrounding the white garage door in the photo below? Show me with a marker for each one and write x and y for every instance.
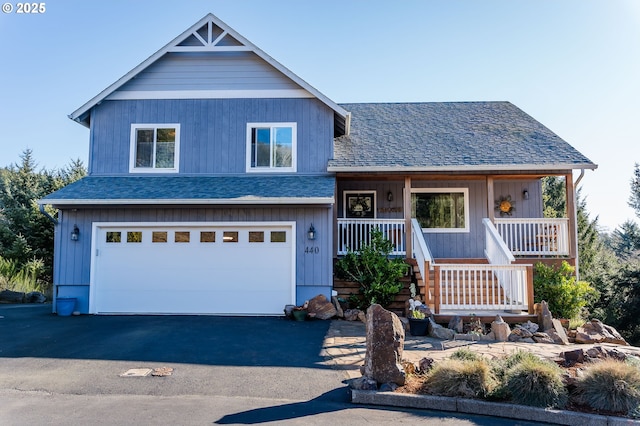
(314, 268)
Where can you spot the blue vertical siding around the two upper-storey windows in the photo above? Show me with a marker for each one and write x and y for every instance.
(213, 132)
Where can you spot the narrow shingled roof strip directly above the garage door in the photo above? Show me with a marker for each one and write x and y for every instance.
(205, 189)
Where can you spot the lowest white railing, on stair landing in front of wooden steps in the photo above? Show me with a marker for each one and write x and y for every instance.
(476, 288)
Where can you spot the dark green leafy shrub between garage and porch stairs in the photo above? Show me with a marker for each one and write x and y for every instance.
(371, 267)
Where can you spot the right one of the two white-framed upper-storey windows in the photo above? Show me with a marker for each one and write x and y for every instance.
(271, 147)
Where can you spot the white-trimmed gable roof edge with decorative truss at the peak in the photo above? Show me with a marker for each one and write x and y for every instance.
(210, 34)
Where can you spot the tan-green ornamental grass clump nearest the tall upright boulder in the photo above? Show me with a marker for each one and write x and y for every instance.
(453, 377)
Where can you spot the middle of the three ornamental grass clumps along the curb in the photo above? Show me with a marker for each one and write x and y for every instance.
(535, 382)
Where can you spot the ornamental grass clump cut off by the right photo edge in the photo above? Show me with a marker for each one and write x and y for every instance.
(610, 385)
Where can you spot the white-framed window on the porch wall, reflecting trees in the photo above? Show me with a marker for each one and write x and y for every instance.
(441, 209)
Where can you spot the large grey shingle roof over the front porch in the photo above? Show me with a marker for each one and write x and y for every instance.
(450, 136)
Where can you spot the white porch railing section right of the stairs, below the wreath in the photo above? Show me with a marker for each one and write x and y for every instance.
(535, 237)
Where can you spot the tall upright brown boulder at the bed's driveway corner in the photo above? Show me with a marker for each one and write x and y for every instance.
(385, 345)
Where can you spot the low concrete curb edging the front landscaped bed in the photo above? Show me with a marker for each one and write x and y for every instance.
(486, 408)
